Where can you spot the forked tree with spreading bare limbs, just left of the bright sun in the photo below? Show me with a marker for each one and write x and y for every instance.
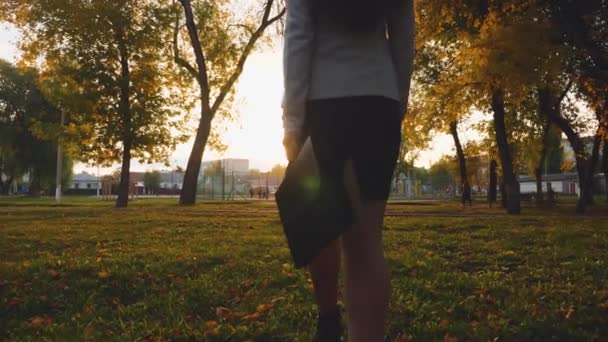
(210, 76)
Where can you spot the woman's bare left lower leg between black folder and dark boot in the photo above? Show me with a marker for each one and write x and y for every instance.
(324, 271)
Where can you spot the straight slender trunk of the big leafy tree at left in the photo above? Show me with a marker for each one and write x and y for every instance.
(124, 107)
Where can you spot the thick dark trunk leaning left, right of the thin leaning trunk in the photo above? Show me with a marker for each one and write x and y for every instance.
(513, 205)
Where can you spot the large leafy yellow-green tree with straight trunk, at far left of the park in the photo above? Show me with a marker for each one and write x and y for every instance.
(106, 64)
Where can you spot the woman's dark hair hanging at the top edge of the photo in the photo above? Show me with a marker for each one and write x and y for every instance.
(354, 15)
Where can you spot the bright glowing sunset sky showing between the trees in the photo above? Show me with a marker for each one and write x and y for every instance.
(256, 133)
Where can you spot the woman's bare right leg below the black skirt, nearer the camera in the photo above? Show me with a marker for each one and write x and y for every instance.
(367, 285)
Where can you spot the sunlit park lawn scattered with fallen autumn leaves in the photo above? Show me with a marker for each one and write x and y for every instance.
(221, 271)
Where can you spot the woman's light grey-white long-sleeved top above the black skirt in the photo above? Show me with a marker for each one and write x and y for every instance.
(321, 60)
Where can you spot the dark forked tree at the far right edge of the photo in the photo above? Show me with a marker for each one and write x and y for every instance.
(581, 27)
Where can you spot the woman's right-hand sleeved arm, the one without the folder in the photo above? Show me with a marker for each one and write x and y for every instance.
(401, 34)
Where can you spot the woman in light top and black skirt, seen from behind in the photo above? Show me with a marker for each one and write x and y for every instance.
(347, 69)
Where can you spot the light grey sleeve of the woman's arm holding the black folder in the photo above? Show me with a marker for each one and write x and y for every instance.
(297, 56)
